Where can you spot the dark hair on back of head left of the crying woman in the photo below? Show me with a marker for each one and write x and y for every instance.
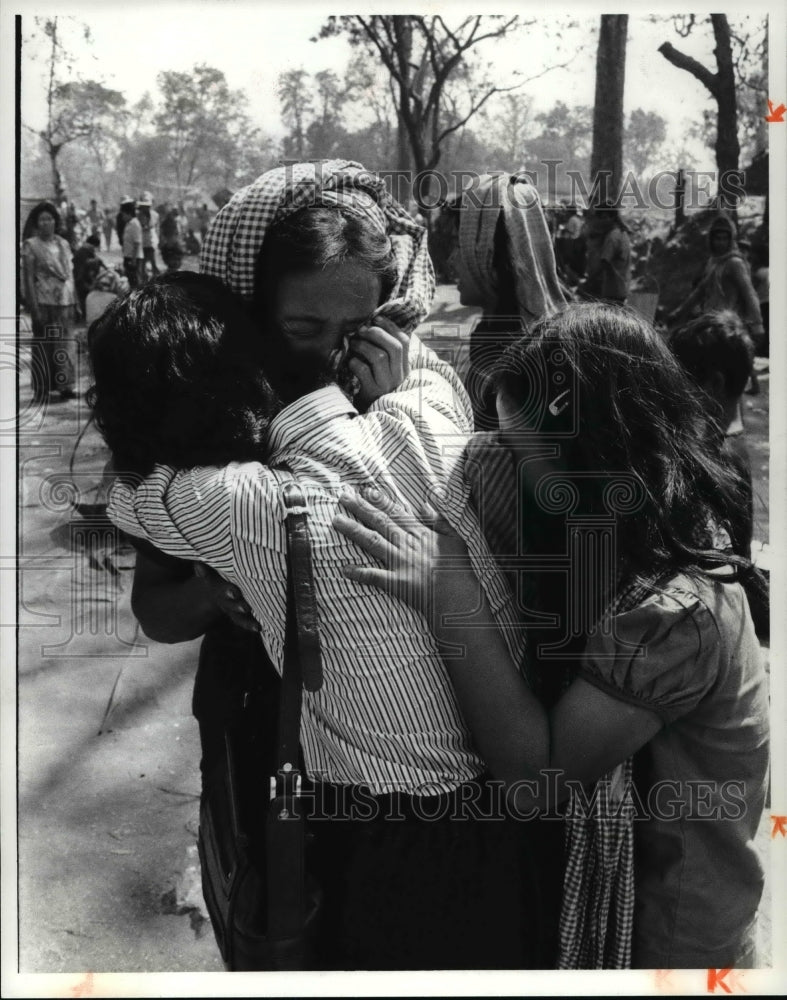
(172, 379)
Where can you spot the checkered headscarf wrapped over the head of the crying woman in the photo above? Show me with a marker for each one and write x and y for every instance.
(236, 234)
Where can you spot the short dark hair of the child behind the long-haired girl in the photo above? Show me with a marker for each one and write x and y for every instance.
(715, 341)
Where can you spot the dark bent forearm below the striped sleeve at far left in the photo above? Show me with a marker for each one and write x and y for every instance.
(174, 611)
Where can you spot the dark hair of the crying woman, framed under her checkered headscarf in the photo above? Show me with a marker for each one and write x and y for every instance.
(317, 237)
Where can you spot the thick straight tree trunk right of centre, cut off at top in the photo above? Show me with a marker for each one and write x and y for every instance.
(606, 161)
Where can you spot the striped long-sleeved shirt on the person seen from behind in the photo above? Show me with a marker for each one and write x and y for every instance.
(386, 716)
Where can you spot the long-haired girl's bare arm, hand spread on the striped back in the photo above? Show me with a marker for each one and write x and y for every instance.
(588, 731)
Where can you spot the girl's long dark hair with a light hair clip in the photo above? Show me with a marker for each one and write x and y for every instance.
(634, 411)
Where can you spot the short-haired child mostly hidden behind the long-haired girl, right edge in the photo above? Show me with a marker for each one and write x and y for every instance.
(717, 353)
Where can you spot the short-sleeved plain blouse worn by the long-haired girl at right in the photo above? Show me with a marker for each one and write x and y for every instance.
(689, 654)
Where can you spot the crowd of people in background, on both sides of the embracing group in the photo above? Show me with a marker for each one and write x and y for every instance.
(593, 247)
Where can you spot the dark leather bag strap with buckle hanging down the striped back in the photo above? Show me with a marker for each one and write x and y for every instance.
(286, 891)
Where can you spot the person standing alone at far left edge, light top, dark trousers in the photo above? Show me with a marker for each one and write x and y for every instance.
(51, 299)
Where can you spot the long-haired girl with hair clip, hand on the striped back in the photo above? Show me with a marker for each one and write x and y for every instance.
(657, 735)
